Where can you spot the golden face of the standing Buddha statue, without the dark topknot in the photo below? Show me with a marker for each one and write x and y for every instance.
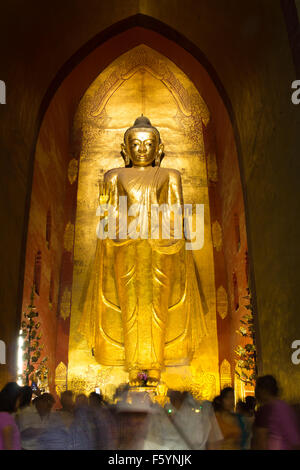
(142, 147)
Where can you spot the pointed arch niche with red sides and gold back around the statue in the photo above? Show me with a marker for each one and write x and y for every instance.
(137, 71)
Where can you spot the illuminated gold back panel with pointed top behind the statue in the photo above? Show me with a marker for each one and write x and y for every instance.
(105, 112)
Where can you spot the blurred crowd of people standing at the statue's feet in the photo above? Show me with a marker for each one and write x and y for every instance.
(133, 421)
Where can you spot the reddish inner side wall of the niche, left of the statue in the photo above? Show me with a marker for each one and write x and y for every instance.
(48, 196)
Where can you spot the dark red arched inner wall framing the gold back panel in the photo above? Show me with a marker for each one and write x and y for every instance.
(51, 187)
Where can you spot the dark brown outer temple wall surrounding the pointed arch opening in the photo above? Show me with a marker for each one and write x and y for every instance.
(248, 47)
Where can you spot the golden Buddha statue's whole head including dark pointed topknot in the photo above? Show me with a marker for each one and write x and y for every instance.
(142, 145)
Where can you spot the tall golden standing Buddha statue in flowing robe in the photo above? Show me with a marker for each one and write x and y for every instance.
(143, 309)
